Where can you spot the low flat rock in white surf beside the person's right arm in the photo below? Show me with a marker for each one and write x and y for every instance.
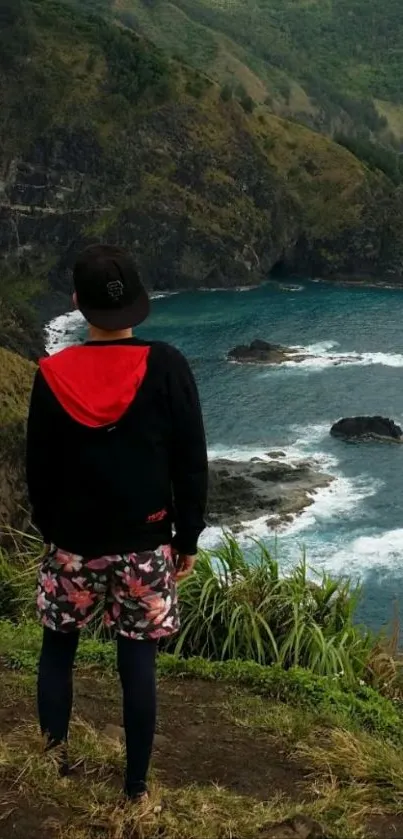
(241, 492)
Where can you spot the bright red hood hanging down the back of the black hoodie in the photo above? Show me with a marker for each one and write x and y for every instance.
(96, 384)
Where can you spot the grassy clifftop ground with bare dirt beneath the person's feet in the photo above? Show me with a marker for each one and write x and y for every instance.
(259, 761)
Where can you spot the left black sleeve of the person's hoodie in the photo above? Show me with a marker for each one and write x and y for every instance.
(38, 466)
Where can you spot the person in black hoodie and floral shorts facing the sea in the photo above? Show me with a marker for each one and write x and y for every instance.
(117, 477)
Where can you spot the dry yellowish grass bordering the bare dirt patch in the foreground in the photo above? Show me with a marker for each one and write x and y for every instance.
(348, 780)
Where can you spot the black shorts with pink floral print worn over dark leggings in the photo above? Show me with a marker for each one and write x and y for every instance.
(135, 593)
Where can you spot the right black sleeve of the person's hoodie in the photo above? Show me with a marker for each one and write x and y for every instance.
(189, 465)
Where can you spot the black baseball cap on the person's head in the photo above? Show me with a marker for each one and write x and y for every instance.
(110, 293)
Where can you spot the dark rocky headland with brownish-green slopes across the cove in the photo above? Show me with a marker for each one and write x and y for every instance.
(103, 136)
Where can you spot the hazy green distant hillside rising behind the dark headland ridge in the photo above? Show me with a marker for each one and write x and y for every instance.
(330, 48)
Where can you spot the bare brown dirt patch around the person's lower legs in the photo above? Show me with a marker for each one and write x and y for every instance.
(195, 744)
